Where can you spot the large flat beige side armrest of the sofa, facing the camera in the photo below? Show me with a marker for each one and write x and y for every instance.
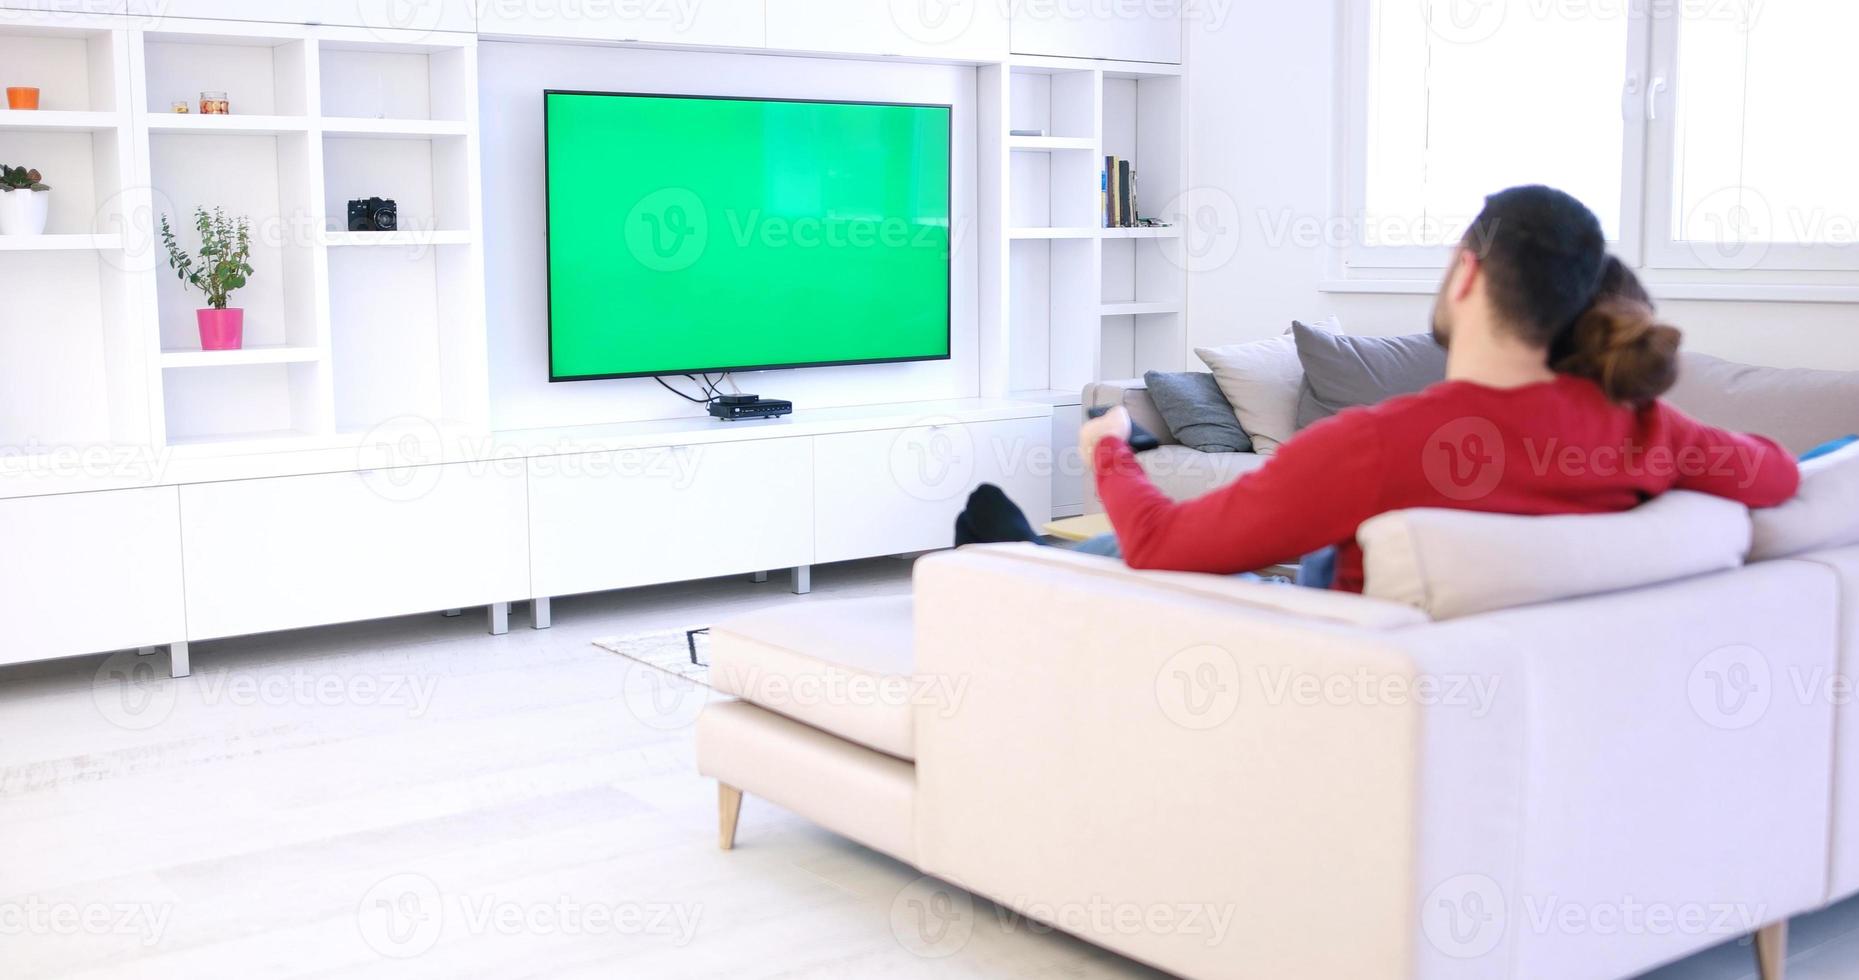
(1114, 767)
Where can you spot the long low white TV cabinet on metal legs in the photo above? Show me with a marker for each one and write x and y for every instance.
(207, 548)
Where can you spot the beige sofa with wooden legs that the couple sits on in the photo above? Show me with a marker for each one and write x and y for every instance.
(1540, 747)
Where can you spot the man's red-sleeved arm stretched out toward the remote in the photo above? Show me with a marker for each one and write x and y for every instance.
(1313, 494)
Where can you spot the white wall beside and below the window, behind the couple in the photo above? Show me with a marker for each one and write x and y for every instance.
(1263, 109)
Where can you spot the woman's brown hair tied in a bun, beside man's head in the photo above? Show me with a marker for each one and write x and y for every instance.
(1620, 343)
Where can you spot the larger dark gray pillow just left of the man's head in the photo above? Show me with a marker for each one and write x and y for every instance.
(1343, 373)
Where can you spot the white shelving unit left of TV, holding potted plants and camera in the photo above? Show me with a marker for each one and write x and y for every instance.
(345, 332)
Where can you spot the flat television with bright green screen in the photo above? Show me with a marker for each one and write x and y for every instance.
(702, 235)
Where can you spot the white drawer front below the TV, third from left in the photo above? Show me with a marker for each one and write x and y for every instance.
(618, 520)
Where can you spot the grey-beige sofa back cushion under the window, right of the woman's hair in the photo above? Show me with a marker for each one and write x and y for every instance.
(1799, 408)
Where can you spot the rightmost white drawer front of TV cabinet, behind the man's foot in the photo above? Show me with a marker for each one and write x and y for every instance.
(897, 492)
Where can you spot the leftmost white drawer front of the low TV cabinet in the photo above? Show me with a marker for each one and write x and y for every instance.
(90, 574)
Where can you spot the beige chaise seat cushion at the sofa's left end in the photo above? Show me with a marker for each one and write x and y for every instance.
(843, 667)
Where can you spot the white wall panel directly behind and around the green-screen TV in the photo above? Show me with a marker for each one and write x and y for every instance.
(512, 81)
